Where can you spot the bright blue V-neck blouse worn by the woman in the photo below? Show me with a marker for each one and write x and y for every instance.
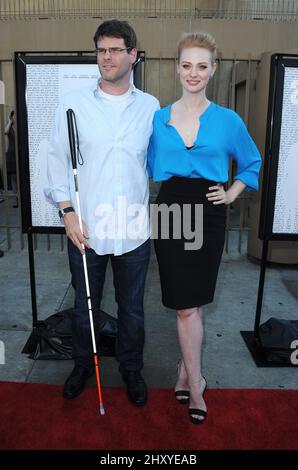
(222, 135)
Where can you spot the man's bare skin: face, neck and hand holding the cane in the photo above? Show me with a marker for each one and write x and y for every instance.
(115, 77)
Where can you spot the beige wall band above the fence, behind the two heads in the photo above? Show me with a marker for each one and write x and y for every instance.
(235, 38)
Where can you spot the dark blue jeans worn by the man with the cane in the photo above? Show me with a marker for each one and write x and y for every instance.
(129, 273)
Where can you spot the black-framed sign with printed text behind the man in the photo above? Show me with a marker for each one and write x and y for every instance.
(41, 81)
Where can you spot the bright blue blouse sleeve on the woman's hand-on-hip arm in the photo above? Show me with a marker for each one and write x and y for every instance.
(248, 157)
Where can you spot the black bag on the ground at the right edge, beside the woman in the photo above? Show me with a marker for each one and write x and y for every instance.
(276, 337)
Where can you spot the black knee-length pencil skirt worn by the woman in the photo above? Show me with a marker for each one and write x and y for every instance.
(188, 277)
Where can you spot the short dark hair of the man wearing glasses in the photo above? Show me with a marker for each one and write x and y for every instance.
(117, 29)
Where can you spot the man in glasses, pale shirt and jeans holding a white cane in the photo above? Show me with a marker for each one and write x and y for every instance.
(114, 122)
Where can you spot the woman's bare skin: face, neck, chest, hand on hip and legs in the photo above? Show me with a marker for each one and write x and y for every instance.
(195, 68)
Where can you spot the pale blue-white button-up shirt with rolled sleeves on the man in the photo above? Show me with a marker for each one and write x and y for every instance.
(114, 133)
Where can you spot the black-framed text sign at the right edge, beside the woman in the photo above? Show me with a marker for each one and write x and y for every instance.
(279, 208)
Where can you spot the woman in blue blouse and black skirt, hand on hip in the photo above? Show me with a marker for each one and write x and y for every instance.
(192, 143)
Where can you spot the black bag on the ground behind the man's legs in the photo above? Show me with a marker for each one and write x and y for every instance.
(52, 339)
